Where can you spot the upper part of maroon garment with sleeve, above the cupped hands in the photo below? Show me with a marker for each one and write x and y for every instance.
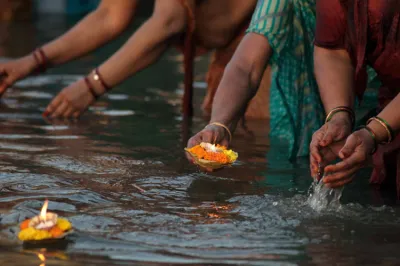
(372, 36)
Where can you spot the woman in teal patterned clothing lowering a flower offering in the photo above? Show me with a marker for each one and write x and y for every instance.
(281, 34)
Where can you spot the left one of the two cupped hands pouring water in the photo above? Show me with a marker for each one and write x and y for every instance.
(337, 129)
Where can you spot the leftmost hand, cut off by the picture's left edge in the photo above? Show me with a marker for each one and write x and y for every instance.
(12, 71)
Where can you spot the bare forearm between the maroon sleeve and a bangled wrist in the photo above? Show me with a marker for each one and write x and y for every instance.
(335, 77)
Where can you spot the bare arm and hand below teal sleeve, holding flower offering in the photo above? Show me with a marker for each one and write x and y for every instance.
(239, 84)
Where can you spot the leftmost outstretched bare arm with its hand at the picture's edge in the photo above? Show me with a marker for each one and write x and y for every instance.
(97, 28)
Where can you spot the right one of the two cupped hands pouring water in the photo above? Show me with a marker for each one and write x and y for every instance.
(356, 154)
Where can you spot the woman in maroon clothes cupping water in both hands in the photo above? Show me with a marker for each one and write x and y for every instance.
(351, 34)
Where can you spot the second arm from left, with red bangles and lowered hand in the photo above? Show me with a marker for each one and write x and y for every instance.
(142, 49)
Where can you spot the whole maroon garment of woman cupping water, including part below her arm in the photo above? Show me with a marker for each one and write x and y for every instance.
(370, 32)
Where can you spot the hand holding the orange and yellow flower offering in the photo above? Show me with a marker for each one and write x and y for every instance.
(211, 134)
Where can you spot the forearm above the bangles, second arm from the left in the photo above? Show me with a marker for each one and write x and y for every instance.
(148, 42)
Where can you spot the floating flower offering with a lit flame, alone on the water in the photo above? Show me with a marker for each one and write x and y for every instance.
(45, 226)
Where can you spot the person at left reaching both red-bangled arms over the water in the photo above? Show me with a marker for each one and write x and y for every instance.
(192, 25)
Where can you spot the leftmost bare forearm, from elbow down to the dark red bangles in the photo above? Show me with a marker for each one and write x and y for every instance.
(97, 28)
